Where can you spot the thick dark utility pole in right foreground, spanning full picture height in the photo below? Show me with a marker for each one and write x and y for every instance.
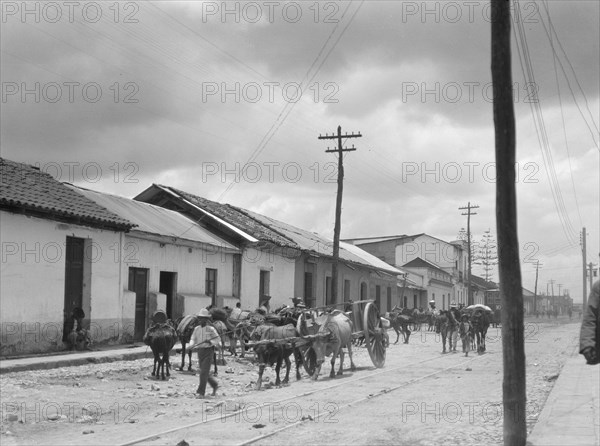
(511, 289)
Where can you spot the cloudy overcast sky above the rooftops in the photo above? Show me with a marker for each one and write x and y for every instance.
(227, 99)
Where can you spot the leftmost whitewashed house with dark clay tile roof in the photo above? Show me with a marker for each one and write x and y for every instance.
(59, 251)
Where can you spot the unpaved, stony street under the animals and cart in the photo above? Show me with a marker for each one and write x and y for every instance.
(420, 397)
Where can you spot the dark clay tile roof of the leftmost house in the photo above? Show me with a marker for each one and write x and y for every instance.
(25, 188)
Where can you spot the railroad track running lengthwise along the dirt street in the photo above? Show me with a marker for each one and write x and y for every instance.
(321, 404)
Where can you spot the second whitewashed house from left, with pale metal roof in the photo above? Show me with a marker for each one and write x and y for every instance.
(168, 262)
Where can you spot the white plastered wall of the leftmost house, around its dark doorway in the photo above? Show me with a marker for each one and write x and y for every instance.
(32, 285)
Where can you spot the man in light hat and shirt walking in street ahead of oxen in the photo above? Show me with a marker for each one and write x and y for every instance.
(204, 339)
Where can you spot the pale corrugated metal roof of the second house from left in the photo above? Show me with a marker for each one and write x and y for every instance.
(155, 220)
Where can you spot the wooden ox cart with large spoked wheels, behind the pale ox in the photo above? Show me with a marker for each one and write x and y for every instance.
(366, 321)
